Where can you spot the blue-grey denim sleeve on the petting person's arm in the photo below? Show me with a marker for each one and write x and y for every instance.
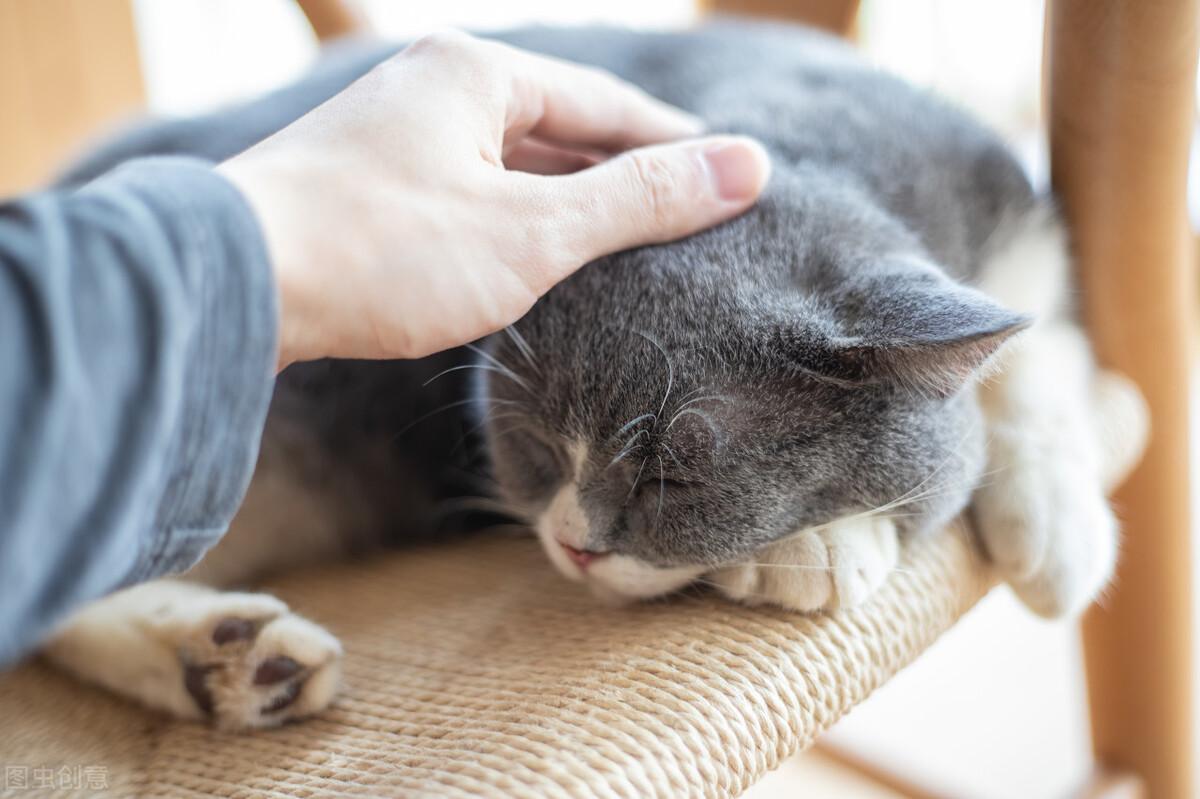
(137, 350)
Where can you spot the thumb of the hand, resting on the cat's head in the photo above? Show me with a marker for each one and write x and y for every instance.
(661, 194)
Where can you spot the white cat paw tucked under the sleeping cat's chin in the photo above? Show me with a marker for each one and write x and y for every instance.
(839, 566)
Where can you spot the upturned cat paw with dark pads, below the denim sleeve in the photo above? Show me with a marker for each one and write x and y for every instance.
(248, 662)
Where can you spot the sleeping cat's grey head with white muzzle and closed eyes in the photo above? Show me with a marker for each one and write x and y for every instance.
(673, 410)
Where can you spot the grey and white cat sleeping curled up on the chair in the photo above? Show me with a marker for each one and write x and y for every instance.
(772, 407)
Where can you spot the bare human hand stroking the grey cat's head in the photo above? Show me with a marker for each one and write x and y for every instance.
(404, 217)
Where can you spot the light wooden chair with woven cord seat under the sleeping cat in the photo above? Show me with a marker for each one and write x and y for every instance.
(700, 698)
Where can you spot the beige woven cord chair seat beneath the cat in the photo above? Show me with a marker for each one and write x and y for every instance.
(473, 670)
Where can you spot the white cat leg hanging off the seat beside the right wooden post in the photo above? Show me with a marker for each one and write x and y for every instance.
(1060, 435)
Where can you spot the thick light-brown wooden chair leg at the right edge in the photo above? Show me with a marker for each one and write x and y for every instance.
(1123, 95)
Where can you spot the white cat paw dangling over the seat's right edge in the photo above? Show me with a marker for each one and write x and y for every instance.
(1043, 519)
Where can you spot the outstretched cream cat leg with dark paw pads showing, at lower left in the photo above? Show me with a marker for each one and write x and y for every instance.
(241, 660)
